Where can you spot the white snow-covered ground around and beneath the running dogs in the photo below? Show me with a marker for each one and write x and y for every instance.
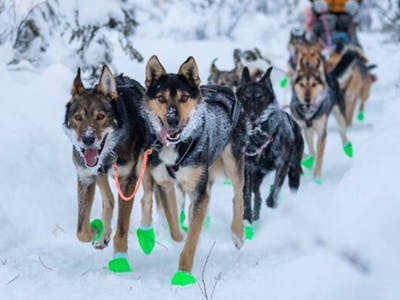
(336, 241)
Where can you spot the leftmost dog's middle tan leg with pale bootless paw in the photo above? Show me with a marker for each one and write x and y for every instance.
(108, 208)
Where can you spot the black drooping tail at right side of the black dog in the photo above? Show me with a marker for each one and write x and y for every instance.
(295, 169)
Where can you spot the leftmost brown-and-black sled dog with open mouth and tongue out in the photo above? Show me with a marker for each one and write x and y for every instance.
(105, 127)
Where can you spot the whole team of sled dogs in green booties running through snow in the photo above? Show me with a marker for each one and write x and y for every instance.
(174, 136)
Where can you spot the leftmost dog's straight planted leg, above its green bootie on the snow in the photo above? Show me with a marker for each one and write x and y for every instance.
(124, 214)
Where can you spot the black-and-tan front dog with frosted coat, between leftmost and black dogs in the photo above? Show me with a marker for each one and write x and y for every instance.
(195, 130)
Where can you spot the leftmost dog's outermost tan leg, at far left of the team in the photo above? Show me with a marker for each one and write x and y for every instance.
(86, 189)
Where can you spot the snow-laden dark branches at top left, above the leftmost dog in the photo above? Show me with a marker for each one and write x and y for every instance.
(88, 36)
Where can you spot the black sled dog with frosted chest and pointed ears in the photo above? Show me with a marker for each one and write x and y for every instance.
(275, 143)
